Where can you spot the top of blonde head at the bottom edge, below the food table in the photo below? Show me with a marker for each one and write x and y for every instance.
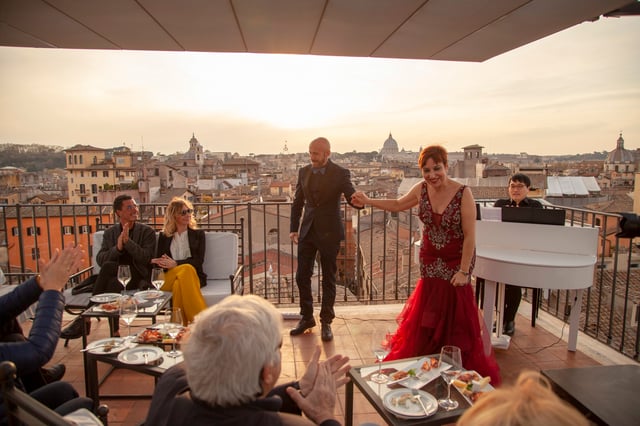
(530, 402)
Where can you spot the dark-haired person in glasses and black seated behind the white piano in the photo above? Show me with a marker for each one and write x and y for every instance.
(518, 190)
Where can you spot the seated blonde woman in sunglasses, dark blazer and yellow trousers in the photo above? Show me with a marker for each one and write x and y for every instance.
(180, 253)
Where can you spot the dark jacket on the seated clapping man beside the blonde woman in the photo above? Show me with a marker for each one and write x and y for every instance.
(140, 247)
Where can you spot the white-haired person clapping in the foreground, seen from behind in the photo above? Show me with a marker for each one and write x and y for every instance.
(232, 363)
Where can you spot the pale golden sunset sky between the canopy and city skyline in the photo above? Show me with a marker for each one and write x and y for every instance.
(572, 92)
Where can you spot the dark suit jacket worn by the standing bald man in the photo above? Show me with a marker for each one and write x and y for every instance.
(321, 207)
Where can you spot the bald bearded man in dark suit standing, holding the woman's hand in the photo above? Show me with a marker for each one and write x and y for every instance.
(319, 191)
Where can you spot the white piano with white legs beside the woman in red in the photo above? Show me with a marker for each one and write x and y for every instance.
(537, 256)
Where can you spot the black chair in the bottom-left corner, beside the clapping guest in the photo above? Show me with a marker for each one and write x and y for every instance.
(22, 409)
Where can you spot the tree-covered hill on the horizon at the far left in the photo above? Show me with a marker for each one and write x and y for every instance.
(33, 158)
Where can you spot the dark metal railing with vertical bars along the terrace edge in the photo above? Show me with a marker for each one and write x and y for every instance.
(377, 263)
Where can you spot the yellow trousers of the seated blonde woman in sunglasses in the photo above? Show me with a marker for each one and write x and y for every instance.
(184, 283)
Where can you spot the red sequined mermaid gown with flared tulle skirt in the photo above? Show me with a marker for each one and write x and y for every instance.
(437, 313)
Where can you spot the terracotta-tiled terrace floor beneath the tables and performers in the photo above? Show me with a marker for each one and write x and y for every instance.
(531, 348)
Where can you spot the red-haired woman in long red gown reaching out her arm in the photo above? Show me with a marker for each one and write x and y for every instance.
(442, 308)
